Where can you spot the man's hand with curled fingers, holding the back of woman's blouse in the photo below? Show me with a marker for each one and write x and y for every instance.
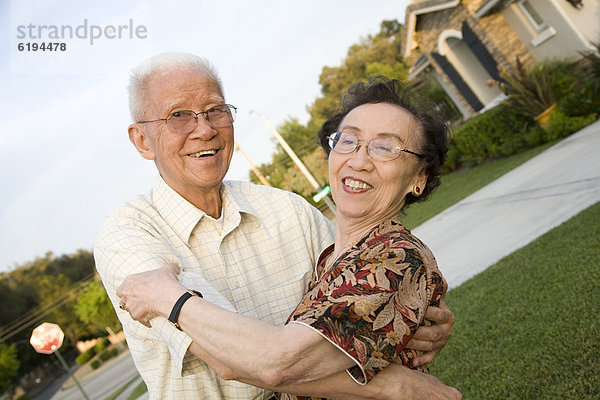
(431, 339)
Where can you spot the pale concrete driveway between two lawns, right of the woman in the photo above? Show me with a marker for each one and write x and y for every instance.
(517, 208)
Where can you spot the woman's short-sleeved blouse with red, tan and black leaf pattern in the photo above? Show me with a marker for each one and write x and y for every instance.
(372, 299)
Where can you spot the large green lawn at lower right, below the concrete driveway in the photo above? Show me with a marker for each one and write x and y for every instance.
(529, 326)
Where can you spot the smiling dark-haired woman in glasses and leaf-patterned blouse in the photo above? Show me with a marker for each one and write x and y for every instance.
(370, 289)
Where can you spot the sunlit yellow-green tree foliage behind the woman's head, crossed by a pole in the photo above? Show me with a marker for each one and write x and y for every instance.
(375, 55)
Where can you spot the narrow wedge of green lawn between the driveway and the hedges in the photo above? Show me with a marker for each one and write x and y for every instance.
(458, 185)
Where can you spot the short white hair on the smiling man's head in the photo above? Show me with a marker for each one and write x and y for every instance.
(141, 74)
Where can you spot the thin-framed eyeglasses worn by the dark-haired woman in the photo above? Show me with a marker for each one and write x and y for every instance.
(380, 149)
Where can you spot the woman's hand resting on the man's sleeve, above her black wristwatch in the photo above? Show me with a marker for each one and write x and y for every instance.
(150, 294)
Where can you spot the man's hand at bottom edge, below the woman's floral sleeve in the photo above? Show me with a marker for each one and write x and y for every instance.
(396, 382)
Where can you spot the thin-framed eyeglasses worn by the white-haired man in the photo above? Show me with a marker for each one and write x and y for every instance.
(185, 121)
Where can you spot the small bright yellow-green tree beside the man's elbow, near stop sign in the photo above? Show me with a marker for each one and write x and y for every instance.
(95, 309)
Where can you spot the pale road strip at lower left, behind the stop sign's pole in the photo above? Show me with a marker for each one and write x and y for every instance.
(103, 382)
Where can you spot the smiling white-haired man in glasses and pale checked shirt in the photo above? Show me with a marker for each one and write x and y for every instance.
(255, 245)
